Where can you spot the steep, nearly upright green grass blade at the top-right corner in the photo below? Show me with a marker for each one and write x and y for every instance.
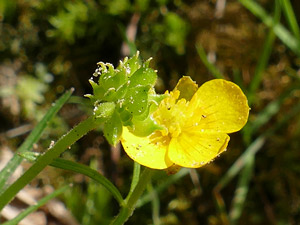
(290, 17)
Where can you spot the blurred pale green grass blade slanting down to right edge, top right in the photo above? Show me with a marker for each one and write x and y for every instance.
(282, 33)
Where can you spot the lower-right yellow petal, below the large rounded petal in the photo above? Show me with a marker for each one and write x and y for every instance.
(194, 149)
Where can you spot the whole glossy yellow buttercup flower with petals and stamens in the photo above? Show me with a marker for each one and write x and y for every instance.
(196, 123)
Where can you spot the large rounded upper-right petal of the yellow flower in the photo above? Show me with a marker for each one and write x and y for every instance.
(222, 105)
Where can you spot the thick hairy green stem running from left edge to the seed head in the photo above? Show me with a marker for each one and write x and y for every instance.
(62, 144)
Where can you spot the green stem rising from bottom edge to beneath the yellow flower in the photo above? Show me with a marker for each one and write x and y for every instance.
(130, 205)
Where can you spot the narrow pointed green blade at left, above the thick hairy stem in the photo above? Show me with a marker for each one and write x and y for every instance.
(34, 136)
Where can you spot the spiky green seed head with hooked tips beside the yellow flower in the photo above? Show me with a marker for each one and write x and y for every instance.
(125, 96)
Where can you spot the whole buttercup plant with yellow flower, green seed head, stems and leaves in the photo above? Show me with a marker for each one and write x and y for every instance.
(187, 127)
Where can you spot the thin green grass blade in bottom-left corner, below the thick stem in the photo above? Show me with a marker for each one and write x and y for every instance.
(33, 208)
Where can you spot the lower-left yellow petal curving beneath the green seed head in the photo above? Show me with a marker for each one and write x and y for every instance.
(148, 151)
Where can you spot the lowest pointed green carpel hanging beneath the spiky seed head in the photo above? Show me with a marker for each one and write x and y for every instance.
(113, 129)
